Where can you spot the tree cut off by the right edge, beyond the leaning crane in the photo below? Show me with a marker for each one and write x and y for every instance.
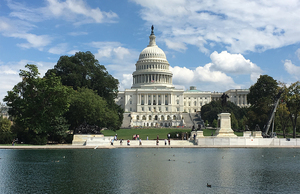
(292, 99)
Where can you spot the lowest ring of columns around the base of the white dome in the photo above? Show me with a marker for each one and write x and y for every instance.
(152, 78)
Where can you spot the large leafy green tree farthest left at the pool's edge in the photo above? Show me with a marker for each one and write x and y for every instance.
(36, 104)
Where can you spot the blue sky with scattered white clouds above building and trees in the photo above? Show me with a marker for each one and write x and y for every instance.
(215, 45)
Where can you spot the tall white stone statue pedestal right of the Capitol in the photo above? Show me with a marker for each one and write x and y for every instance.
(224, 127)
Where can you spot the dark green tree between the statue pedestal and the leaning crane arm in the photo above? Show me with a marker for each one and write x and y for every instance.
(261, 97)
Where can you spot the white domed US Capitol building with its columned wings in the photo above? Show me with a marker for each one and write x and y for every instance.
(153, 101)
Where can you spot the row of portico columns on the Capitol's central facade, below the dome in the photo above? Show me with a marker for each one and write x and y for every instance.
(163, 99)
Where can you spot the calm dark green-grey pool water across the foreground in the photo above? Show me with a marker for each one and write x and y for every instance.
(151, 170)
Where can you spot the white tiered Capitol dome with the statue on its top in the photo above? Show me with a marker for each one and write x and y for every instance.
(152, 68)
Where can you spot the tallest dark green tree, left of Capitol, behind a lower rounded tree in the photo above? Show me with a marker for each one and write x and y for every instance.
(83, 70)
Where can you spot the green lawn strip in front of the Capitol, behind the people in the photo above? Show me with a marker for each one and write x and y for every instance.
(153, 132)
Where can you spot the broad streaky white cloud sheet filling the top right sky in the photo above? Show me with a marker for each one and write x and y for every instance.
(239, 27)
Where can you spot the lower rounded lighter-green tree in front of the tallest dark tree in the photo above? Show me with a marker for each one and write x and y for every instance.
(88, 107)
